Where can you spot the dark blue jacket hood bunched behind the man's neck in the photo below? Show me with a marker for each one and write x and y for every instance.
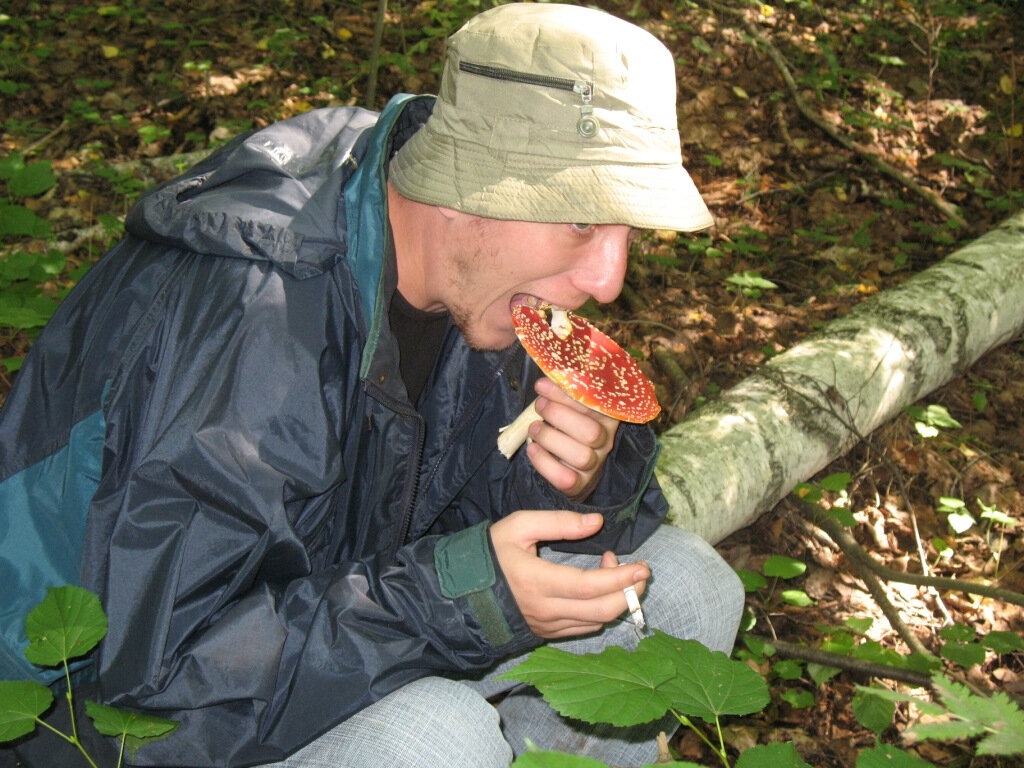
(272, 195)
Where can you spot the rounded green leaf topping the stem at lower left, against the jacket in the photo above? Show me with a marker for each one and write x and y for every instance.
(67, 624)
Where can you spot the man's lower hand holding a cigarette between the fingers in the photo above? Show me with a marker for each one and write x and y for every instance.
(559, 601)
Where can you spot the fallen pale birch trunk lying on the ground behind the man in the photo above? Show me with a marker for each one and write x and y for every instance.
(737, 457)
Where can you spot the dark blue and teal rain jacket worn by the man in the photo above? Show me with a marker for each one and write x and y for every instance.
(212, 435)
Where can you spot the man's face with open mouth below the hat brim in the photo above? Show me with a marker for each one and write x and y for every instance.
(487, 265)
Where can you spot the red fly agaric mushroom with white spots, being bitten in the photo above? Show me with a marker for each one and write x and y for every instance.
(586, 364)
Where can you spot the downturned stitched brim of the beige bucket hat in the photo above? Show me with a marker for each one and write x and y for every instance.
(437, 170)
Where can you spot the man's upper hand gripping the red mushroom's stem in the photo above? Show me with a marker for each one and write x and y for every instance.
(571, 444)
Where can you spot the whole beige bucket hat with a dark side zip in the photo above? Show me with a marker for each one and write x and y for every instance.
(558, 114)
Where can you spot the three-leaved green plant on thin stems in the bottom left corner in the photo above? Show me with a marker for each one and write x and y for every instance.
(67, 625)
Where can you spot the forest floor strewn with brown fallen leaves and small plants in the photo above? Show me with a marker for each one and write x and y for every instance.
(933, 89)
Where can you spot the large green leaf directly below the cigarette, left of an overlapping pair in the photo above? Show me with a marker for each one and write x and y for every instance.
(614, 687)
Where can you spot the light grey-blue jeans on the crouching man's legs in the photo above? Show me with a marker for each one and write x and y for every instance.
(693, 593)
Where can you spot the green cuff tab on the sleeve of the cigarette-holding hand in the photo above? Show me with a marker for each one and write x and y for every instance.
(466, 571)
